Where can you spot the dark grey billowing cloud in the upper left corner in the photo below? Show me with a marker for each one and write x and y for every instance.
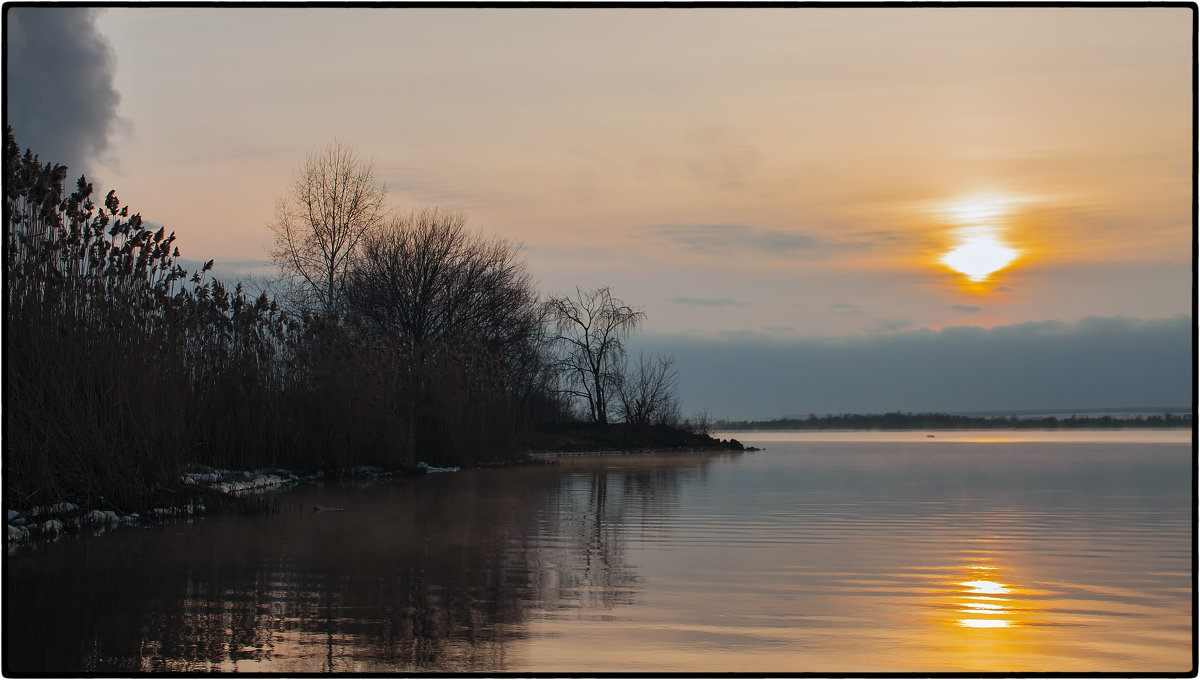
(62, 101)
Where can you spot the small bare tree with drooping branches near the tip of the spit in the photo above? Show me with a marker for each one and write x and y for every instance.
(591, 330)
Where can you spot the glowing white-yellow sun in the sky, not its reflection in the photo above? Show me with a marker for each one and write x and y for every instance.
(981, 249)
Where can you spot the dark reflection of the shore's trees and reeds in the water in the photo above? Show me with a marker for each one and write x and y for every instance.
(433, 574)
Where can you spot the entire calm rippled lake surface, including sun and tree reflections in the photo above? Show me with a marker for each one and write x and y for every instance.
(884, 553)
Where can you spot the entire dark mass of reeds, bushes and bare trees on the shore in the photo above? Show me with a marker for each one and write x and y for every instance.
(387, 341)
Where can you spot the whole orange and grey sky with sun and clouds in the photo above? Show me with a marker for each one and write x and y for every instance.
(855, 188)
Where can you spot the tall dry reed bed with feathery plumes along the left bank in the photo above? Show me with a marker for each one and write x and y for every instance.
(123, 368)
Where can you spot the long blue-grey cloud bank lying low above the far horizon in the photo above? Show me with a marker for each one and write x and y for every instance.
(1096, 363)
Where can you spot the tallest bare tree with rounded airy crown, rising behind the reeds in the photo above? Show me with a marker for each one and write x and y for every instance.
(333, 203)
